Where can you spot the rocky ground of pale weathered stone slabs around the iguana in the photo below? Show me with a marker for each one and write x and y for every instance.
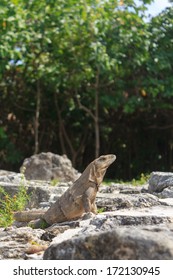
(136, 222)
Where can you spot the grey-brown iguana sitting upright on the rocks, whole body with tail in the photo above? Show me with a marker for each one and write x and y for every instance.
(77, 199)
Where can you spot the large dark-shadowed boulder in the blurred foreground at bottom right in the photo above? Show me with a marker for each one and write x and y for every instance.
(122, 243)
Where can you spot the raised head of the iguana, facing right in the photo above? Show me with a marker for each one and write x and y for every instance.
(99, 166)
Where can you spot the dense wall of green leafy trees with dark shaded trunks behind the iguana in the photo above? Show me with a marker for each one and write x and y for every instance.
(86, 77)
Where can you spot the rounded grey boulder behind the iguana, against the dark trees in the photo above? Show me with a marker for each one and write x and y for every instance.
(49, 166)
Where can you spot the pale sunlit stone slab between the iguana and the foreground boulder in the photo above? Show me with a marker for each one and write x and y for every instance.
(113, 220)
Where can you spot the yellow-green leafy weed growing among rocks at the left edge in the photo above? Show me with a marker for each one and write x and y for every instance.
(10, 204)
